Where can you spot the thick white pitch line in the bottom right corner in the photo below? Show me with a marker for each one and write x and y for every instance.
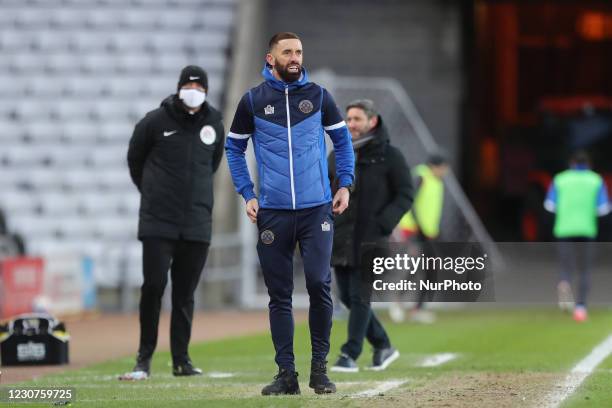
(579, 373)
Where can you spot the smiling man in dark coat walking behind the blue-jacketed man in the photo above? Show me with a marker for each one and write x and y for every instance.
(381, 193)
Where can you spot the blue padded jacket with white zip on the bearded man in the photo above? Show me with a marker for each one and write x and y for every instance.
(287, 123)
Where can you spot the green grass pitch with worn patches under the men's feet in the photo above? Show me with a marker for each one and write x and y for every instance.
(505, 357)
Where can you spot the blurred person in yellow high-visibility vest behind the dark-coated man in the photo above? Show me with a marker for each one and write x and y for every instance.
(420, 227)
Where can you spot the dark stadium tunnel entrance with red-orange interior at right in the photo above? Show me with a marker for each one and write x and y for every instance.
(538, 75)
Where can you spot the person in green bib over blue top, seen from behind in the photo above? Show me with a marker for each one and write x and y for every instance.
(577, 196)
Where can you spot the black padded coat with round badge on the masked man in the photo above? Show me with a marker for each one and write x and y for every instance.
(172, 157)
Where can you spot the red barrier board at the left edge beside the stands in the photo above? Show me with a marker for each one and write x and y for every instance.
(21, 281)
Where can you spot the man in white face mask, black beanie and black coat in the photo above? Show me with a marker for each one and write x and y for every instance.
(173, 154)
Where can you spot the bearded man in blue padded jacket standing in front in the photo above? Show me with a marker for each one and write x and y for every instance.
(286, 117)
